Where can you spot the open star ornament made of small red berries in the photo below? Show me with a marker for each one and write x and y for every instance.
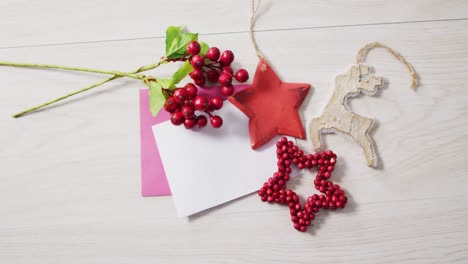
(274, 190)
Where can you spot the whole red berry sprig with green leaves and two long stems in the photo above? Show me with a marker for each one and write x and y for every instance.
(200, 62)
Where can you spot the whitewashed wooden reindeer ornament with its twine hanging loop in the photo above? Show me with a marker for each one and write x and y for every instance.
(339, 118)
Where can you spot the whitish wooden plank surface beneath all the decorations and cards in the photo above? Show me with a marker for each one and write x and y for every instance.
(70, 176)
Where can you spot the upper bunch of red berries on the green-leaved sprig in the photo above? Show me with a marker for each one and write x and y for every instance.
(214, 67)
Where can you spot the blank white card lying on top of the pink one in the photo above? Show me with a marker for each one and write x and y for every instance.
(208, 167)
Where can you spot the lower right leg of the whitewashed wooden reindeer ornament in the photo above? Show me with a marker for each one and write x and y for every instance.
(359, 129)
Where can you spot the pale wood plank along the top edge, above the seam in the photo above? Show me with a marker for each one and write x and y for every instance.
(54, 21)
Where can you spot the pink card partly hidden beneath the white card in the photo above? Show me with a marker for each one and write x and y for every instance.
(153, 176)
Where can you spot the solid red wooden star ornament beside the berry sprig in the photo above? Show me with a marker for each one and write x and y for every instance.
(271, 106)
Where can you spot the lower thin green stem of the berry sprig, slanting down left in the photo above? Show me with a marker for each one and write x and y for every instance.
(35, 108)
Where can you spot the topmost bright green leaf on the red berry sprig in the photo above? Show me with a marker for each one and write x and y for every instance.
(176, 42)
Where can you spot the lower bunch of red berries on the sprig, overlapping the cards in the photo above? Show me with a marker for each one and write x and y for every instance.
(183, 102)
